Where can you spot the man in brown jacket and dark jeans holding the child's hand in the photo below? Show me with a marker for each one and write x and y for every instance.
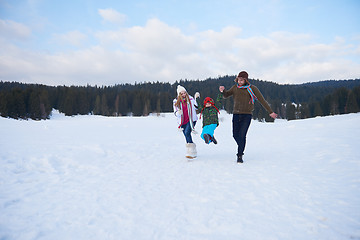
(244, 95)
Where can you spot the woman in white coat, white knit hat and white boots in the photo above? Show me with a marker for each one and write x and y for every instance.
(185, 110)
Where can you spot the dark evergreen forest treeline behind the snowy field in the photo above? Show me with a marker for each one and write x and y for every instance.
(35, 101)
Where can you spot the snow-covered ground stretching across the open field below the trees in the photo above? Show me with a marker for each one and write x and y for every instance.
(93, 177)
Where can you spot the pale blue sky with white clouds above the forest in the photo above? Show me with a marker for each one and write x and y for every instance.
(82, 42)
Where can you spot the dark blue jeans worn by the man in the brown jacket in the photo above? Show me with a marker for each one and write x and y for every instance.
(241, 123)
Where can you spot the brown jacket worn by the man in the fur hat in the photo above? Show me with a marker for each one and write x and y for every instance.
(242, 100)
